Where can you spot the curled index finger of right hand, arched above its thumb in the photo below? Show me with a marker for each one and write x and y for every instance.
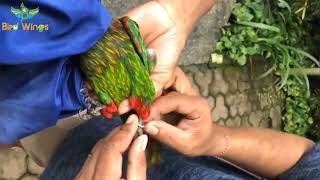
(189, 106)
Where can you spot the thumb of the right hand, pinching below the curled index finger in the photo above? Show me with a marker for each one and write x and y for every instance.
(167, 134)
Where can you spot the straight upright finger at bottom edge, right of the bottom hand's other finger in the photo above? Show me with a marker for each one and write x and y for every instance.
(137, 165)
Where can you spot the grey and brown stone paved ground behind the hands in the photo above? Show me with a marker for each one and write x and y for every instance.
(235, 97)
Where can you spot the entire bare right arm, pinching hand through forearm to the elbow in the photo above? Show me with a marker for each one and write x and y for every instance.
(264, 151)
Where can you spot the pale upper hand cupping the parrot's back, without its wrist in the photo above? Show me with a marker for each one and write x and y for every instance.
(165, 35)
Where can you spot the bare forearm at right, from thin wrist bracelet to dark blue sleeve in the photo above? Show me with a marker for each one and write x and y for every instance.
(264, 151)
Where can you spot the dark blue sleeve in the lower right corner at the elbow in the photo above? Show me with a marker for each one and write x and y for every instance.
(308, 166)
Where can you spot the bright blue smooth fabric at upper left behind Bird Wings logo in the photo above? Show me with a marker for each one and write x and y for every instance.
(39, 84)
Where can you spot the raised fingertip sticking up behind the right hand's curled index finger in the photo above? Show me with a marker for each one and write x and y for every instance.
(180, 83)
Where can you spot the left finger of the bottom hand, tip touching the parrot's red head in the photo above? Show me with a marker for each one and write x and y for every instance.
(109, 163)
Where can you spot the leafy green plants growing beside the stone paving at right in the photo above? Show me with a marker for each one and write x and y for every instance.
(273, 29)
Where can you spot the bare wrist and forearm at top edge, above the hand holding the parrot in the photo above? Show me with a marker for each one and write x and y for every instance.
(186, 12)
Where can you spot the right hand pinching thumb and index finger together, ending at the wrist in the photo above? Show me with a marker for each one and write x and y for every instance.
(195, 133)
